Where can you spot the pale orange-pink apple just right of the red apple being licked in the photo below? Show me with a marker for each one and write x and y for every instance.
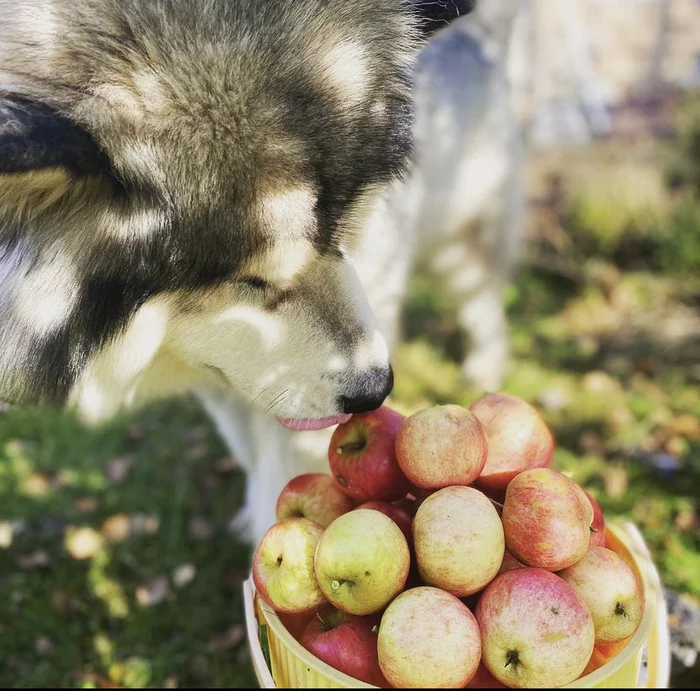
(441, 446)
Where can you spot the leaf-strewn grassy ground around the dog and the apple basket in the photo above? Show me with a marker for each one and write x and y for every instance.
(116, 566)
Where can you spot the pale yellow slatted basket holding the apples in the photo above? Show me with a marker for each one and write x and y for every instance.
(292, 666)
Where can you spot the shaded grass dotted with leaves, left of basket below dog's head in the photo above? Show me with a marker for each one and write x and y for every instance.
(67, 621)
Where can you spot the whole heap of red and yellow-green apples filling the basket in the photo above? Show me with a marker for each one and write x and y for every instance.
(442, 552)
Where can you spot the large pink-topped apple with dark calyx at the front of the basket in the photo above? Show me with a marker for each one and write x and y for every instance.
(535, 630)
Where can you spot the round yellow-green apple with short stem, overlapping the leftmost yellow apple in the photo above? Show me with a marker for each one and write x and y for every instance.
(362, 562)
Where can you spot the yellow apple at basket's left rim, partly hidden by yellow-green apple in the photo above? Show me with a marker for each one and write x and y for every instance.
(283, 566)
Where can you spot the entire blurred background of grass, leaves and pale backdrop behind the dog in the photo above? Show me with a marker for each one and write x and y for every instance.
(116, 565)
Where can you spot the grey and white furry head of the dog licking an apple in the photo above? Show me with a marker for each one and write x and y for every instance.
(181, 188)
